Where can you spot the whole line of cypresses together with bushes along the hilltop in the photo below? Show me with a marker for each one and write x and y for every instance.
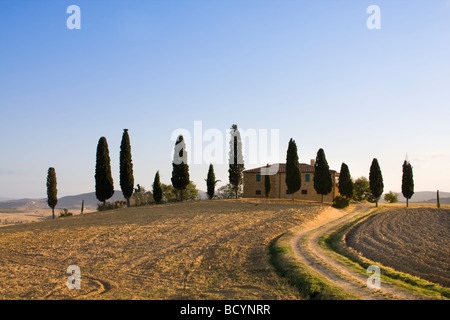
(182, 187)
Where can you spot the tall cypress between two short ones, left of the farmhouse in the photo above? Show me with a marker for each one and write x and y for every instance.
(180, 168)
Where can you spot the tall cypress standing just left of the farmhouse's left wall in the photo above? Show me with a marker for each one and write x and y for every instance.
(236, 159)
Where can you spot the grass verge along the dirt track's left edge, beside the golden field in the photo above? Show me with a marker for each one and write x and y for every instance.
(310, 284)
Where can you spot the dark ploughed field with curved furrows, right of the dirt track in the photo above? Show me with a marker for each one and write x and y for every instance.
(414, 240)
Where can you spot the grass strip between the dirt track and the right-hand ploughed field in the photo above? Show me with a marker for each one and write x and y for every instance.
(334, 242)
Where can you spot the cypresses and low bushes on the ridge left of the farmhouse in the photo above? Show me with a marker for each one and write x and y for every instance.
(182, 187)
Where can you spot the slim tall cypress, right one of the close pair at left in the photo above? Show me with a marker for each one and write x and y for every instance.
(126, 167)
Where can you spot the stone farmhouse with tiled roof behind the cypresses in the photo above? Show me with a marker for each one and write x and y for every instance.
(254, 184)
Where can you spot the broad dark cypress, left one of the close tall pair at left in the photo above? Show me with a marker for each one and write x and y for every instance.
(104, 185)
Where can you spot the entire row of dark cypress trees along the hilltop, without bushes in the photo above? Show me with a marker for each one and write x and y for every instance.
(104, 185)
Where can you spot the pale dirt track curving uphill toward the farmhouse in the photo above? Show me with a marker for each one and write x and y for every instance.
(307, 249)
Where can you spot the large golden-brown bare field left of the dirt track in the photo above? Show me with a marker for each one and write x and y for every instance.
(199, 250)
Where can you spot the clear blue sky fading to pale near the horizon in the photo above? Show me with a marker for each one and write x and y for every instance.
(310, 69)
